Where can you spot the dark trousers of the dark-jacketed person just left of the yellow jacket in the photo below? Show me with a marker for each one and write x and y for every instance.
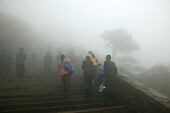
(88, 84)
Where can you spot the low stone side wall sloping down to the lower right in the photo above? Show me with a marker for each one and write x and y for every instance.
(139, 98)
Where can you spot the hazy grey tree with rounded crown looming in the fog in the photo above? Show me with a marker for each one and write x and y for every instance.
(120, 40)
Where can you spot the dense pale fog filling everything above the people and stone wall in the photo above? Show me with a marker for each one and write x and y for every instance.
(141, 49)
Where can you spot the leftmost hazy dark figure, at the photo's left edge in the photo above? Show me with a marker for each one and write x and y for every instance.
(5, 62)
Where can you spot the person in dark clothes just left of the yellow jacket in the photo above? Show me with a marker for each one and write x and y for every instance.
(87, 67)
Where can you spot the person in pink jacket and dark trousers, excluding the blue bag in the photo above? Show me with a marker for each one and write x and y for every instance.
(65, 75)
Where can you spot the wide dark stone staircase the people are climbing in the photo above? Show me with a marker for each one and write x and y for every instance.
(44, 94)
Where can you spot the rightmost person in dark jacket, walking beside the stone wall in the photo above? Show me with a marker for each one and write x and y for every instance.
(110, 72)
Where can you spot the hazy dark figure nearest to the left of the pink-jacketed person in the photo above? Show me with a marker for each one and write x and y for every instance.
(47, 63)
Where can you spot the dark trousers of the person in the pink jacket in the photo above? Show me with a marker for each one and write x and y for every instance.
(66, 82)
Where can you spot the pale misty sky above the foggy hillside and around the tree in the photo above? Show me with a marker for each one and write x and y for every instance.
(84, 21)
